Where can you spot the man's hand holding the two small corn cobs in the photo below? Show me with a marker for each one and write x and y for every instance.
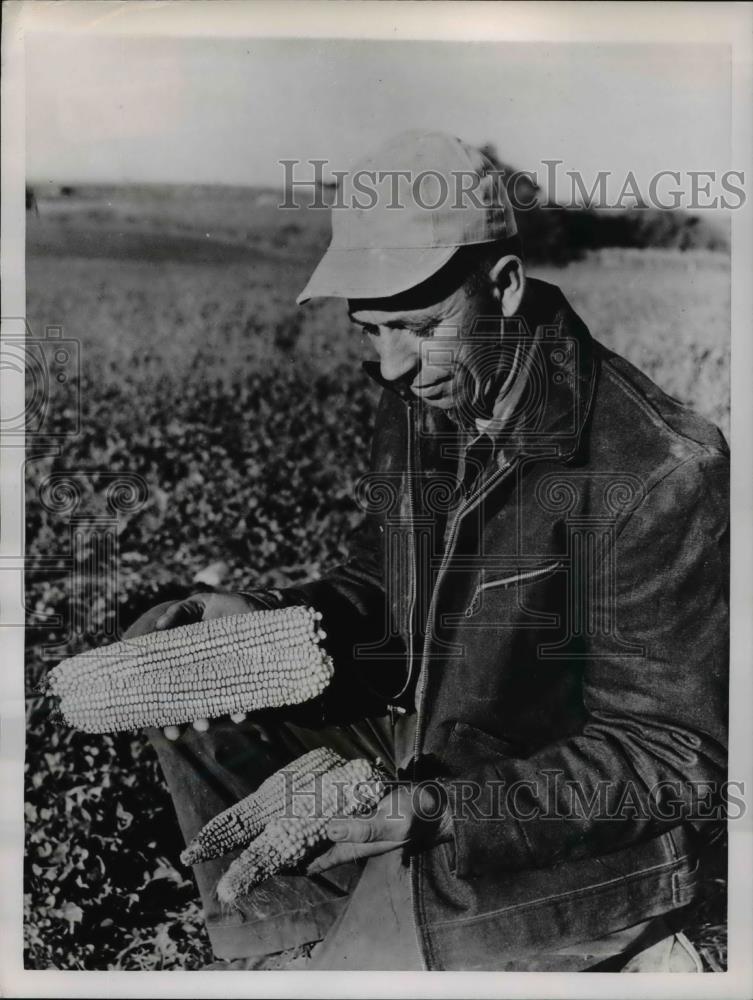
(410, 816)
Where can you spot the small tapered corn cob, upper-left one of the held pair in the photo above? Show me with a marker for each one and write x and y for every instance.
(238, 825)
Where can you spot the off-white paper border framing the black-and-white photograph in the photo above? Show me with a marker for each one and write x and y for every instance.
(686, 23)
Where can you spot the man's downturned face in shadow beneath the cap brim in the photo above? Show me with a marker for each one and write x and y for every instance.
(430, 349)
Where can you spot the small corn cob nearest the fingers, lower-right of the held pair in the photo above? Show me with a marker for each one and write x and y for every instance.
(288, 839)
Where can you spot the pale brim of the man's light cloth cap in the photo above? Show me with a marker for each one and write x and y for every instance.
(372, 274)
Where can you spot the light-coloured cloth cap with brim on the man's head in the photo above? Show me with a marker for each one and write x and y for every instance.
(404, 210)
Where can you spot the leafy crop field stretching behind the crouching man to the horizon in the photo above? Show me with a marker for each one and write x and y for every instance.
(244, 422)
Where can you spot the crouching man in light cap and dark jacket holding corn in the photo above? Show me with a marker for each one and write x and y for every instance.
(531, 630)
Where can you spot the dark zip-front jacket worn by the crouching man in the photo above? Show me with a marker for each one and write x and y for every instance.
(562, 629)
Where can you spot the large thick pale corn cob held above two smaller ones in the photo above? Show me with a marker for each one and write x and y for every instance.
(224, 666)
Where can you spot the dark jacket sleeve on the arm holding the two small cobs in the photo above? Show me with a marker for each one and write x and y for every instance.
(652, 751)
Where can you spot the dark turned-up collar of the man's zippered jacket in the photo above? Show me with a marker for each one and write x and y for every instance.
(552, 415)
